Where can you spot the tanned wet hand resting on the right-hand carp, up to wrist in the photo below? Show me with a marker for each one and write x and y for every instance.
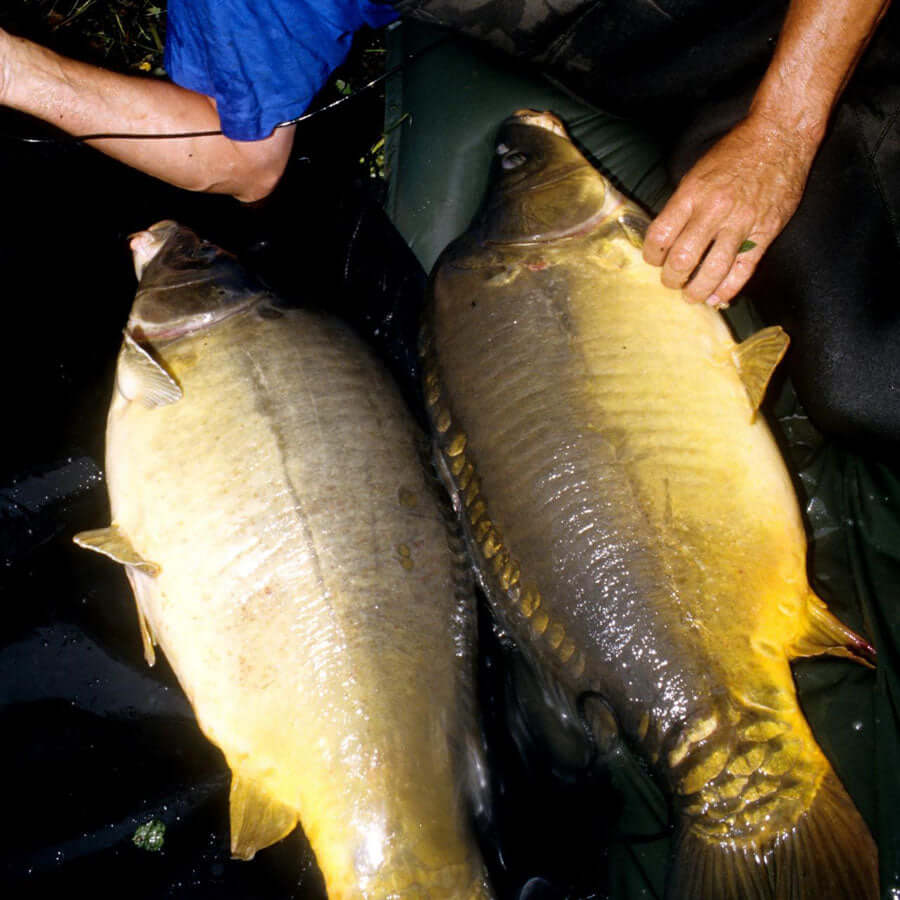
(730, 206)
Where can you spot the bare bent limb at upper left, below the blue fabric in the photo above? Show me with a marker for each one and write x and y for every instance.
(83, 99)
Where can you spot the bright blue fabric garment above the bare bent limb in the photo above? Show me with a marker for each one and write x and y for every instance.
(262, 61)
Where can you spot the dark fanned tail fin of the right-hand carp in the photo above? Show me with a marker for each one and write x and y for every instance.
(828, 853)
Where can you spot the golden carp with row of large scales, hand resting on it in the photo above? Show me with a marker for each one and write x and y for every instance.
(632, 520)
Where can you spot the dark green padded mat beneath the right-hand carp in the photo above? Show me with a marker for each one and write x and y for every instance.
(442, 113)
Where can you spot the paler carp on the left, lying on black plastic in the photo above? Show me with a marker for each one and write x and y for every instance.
(286, 551)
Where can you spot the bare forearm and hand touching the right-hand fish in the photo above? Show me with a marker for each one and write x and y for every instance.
(749, 184)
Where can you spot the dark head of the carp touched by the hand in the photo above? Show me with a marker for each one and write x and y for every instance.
(541, 187)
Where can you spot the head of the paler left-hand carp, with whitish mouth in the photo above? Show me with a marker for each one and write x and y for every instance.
(185, 283)
